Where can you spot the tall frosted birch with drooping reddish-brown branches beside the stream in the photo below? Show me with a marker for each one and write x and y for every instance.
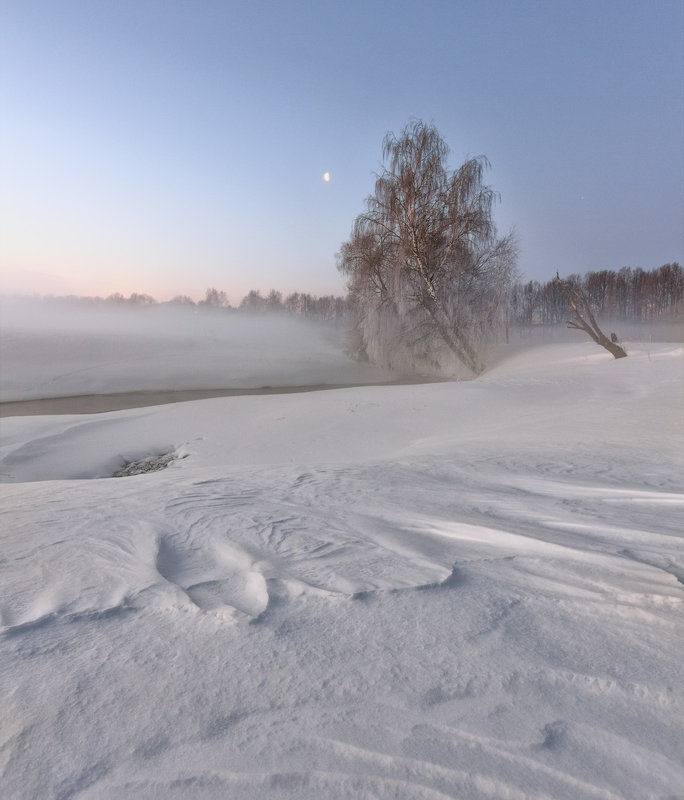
(424, 263)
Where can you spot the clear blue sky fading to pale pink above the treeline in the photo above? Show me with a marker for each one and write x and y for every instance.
(168, 146)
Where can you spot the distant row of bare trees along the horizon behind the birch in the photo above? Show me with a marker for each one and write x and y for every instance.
(634, 295)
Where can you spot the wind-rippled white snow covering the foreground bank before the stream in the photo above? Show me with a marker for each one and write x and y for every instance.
(446, 591)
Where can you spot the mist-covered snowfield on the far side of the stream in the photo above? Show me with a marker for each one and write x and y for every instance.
(53, 349)
